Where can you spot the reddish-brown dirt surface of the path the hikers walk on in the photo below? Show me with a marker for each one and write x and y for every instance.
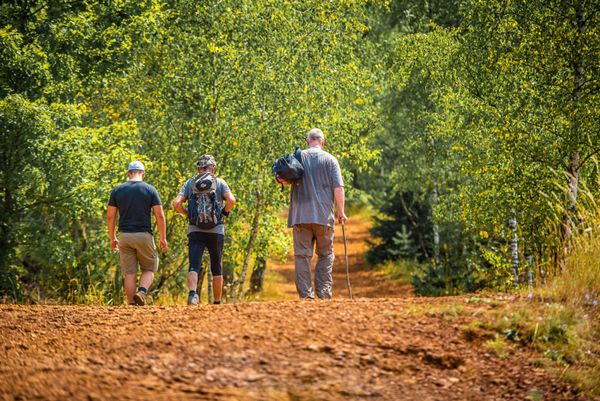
(402, 348)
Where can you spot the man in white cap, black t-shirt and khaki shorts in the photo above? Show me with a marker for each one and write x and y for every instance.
(134, 200)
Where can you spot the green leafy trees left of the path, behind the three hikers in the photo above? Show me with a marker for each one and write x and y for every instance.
(85, 87)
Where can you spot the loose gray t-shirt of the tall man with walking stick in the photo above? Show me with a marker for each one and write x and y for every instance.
(312, 198)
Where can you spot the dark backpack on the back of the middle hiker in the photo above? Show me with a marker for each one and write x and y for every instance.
(203, 208)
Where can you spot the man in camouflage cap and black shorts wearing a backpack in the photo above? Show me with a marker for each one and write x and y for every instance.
(205, 212)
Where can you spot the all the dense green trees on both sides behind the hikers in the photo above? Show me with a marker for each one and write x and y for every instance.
(453, 117)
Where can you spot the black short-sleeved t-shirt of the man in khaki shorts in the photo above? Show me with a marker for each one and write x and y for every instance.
(135, 200)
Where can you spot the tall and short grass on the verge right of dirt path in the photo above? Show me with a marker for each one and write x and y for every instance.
(559, 321)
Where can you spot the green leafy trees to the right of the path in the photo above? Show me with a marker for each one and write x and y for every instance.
(487, 119)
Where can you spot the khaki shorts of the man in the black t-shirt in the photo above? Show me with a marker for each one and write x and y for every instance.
(137, 247)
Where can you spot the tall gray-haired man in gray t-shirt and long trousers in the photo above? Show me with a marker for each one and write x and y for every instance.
(312, 218)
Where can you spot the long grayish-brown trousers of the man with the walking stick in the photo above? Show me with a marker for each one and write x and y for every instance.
(305, 237)
